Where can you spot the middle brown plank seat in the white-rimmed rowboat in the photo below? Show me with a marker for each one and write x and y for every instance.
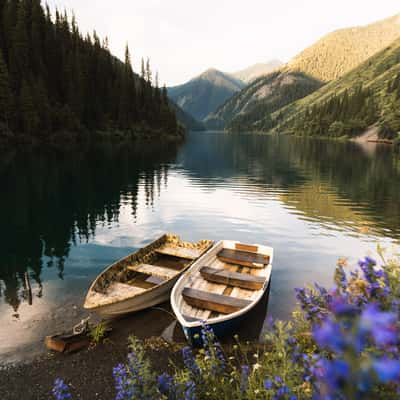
(236, 279)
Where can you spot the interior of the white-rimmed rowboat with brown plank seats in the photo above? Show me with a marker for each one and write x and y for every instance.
(229, 280)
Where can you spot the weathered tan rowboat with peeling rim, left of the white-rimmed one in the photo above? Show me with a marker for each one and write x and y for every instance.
(144, 278)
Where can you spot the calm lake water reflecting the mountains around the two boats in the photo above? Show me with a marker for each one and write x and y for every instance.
(67, 214)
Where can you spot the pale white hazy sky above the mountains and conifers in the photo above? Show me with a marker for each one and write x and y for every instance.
(185, 37)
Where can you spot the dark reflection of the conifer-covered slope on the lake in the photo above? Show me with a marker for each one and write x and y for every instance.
(53, 199)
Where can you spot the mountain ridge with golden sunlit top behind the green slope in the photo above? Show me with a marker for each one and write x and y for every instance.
(331, 57)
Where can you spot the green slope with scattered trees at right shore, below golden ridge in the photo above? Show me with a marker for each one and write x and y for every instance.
(367, 98)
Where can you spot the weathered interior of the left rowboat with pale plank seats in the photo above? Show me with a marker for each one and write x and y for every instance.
(150, 267)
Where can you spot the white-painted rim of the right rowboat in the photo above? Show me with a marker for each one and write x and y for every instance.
(179, 286)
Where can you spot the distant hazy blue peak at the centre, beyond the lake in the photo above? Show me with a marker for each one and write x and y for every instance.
(205, 93)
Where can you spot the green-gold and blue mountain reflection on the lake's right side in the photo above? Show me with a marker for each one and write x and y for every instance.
(343, 183)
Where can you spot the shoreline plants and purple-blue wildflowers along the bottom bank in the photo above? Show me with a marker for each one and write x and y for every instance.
(341, 343)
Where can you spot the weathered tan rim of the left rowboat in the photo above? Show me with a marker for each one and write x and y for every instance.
(149, 248)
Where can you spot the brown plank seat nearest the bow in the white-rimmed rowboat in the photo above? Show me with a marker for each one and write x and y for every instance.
(213, 302)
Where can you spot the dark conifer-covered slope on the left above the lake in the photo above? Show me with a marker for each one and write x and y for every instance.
(55, 80)
